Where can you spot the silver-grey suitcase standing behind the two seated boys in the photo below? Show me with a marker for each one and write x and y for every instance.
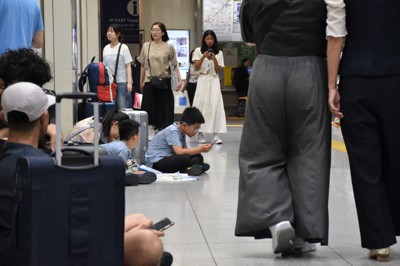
(142, 118)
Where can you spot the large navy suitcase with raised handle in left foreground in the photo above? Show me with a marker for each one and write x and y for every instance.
(69, 211)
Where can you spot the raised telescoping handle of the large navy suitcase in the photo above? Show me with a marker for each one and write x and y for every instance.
(73, 96)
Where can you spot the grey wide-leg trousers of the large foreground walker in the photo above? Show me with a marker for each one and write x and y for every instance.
(285, 151)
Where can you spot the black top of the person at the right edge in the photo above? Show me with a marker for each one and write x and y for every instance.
(372, 45)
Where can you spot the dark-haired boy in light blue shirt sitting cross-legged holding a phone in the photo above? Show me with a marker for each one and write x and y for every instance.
(168, 152)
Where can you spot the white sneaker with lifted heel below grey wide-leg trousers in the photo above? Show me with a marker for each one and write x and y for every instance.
(282, 234)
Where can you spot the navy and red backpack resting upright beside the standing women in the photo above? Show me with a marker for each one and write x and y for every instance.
(101, 81)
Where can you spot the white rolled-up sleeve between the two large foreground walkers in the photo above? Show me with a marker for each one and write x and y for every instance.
(336, 21)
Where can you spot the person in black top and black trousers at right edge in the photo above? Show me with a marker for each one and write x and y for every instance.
(367, 103)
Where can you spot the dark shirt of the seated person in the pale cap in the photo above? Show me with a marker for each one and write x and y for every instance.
(8, 163)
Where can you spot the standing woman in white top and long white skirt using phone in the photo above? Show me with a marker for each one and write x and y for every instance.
(209, 61)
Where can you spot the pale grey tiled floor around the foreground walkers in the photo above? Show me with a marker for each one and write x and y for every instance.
(204, 212)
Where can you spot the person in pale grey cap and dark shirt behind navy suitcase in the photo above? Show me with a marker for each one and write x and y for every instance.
(25, 112)
